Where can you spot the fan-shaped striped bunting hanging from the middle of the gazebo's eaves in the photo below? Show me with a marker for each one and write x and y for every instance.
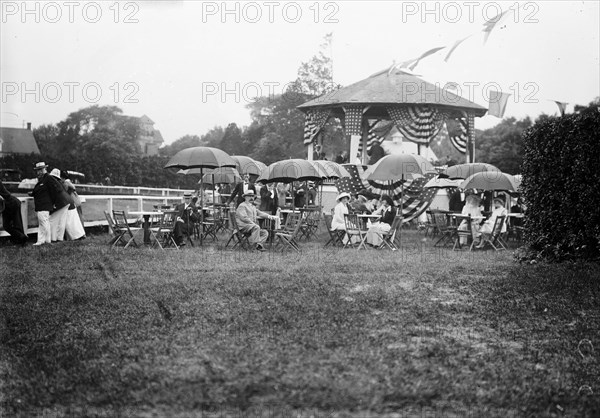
(418, 123)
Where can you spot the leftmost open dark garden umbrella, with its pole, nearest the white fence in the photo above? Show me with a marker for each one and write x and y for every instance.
(201, 158)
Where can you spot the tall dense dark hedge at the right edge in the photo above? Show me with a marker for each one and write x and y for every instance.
(561, 186)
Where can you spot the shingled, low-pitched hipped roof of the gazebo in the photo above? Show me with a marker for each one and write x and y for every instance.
(399, 87)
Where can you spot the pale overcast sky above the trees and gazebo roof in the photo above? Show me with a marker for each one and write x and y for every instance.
(194, 65)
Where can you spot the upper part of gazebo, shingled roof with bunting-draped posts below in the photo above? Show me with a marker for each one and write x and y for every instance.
(369, 108)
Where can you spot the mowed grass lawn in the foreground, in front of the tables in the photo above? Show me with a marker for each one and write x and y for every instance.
(203, 332)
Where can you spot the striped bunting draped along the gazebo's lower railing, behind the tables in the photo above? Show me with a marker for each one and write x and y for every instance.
(415, 197)
